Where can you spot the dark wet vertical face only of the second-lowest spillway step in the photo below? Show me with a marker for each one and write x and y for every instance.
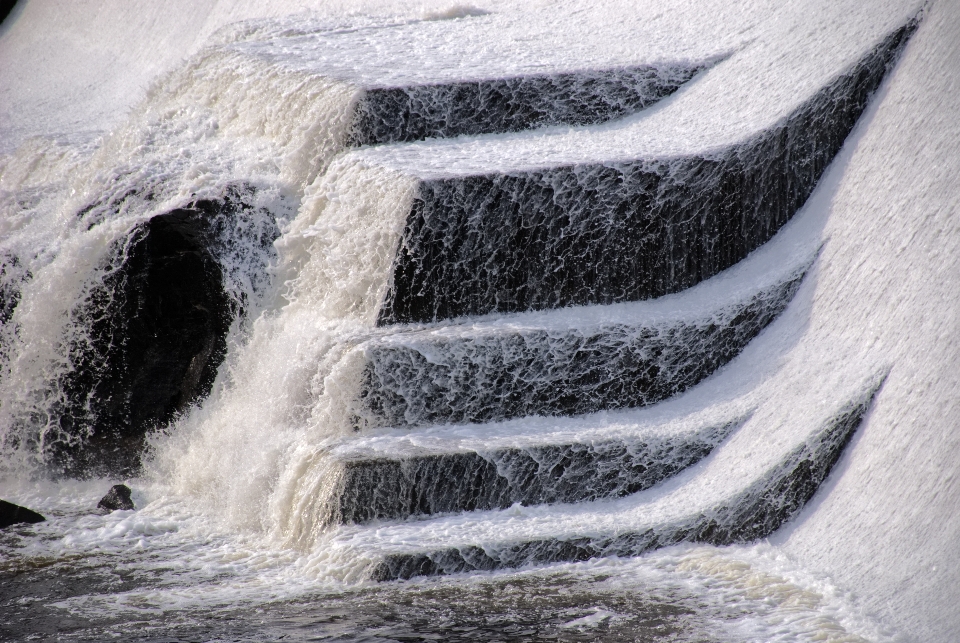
(391, 488)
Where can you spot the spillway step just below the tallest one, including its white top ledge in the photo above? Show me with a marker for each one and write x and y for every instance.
(577, 360)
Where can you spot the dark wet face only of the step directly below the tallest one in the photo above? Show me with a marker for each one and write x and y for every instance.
(484, 377)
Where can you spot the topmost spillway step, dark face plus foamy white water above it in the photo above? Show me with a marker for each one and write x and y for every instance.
(464, 77)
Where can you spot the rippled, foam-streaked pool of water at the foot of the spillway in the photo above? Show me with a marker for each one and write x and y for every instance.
(165, 572)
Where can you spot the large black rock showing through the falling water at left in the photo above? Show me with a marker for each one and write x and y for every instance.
(156, 329)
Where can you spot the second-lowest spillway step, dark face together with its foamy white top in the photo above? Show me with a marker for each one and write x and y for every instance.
(538, 461)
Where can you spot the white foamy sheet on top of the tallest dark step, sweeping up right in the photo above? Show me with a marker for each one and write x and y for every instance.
(784, 59)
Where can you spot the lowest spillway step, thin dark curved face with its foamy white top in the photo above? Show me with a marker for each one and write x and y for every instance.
(697, 506)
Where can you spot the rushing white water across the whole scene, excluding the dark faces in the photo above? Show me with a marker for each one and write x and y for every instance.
(229, 540)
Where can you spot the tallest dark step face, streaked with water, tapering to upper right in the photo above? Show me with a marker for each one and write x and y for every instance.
(620, 231)
